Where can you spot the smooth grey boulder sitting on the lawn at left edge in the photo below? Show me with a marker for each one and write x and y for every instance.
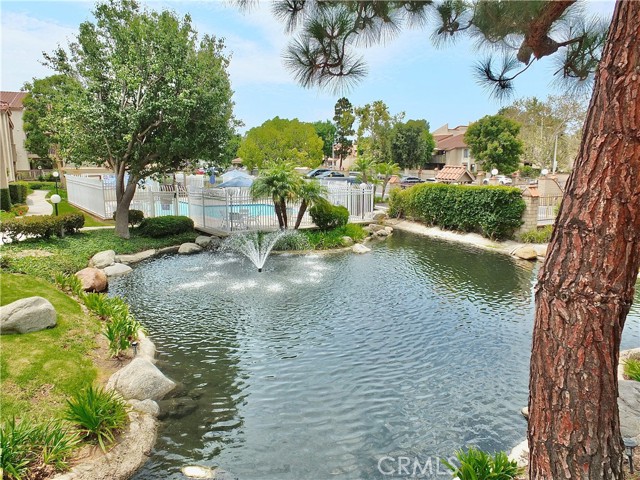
(27, 315)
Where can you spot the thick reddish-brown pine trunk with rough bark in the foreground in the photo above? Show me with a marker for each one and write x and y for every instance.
(586, 285)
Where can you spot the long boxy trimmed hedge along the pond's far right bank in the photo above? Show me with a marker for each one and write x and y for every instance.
(495, 212)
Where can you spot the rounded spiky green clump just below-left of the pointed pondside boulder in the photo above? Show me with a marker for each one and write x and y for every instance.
(98, 414)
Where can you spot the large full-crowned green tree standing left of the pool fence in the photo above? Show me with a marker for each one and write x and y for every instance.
(154, 97)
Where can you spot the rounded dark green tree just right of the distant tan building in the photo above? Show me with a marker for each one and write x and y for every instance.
(493, 141)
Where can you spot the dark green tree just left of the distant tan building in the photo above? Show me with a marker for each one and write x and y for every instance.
(411, 143)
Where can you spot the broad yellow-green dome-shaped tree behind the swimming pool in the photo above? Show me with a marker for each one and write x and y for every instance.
(279, 138)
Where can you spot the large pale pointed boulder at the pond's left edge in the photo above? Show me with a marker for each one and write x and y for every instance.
(140, 380)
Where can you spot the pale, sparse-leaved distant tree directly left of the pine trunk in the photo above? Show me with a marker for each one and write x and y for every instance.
(559, 117)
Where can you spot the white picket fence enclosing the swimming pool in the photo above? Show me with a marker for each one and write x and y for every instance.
(228, 209)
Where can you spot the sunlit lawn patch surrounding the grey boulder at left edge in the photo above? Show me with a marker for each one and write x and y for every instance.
(40, 370)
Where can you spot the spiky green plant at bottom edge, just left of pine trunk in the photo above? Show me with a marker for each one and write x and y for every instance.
(478, 465)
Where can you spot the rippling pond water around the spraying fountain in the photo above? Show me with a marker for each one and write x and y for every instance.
(337, 365)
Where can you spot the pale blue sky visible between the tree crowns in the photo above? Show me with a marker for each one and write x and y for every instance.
(407, 73)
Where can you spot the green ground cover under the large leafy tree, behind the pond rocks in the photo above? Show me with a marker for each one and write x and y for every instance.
(72, 252)
